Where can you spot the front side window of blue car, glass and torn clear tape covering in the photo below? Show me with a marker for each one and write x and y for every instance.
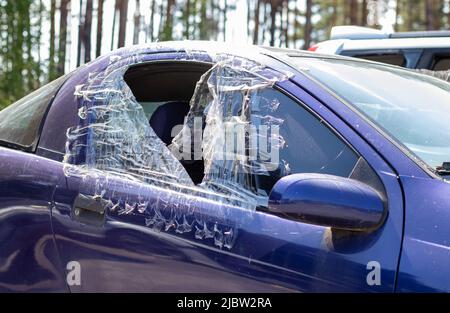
(247, 135)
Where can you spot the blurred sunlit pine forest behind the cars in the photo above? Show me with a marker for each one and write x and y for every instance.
(41, 40)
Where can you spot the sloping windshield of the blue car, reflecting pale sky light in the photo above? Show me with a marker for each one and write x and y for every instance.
(413, 108)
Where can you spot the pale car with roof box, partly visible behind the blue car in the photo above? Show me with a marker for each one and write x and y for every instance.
(428, 50)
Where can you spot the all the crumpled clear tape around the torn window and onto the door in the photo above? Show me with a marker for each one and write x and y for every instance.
(235, 133)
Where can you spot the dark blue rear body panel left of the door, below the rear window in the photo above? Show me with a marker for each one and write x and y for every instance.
(29, 260)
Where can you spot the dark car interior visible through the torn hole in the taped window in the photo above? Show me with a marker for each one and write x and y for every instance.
(164, 90)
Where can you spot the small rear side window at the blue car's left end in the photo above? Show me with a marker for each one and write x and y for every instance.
(20, 122)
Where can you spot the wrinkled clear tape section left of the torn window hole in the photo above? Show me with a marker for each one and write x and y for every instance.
(114, 135)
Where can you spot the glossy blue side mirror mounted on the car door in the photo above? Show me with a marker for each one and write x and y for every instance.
(326, 200)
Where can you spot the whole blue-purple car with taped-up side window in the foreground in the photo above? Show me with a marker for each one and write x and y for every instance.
(196, 167)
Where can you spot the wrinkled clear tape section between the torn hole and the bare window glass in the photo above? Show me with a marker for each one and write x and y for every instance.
(233, 129)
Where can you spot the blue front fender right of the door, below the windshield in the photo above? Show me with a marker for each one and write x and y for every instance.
(426, 245)
